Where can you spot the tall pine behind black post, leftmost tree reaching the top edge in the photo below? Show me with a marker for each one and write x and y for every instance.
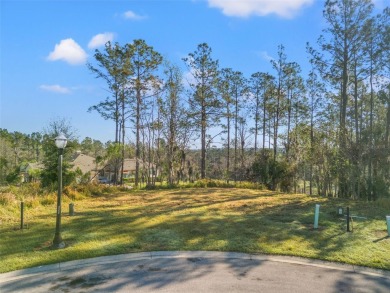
(343, 36)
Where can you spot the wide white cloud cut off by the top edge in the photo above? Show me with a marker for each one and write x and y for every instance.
(246, 8)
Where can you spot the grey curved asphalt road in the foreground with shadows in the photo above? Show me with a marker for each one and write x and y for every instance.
(196, 272)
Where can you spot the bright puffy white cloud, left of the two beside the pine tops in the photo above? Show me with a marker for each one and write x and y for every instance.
(69, 51)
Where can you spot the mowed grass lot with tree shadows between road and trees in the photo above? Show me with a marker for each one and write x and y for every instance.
(212, 219)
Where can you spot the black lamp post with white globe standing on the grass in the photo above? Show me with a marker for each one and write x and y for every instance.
(61, 144)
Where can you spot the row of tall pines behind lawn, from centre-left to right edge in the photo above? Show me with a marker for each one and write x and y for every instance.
(327, 132)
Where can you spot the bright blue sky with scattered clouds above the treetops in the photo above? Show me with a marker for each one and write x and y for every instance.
(45, 45)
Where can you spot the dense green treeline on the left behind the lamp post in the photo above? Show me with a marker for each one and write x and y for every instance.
(19, 149)
